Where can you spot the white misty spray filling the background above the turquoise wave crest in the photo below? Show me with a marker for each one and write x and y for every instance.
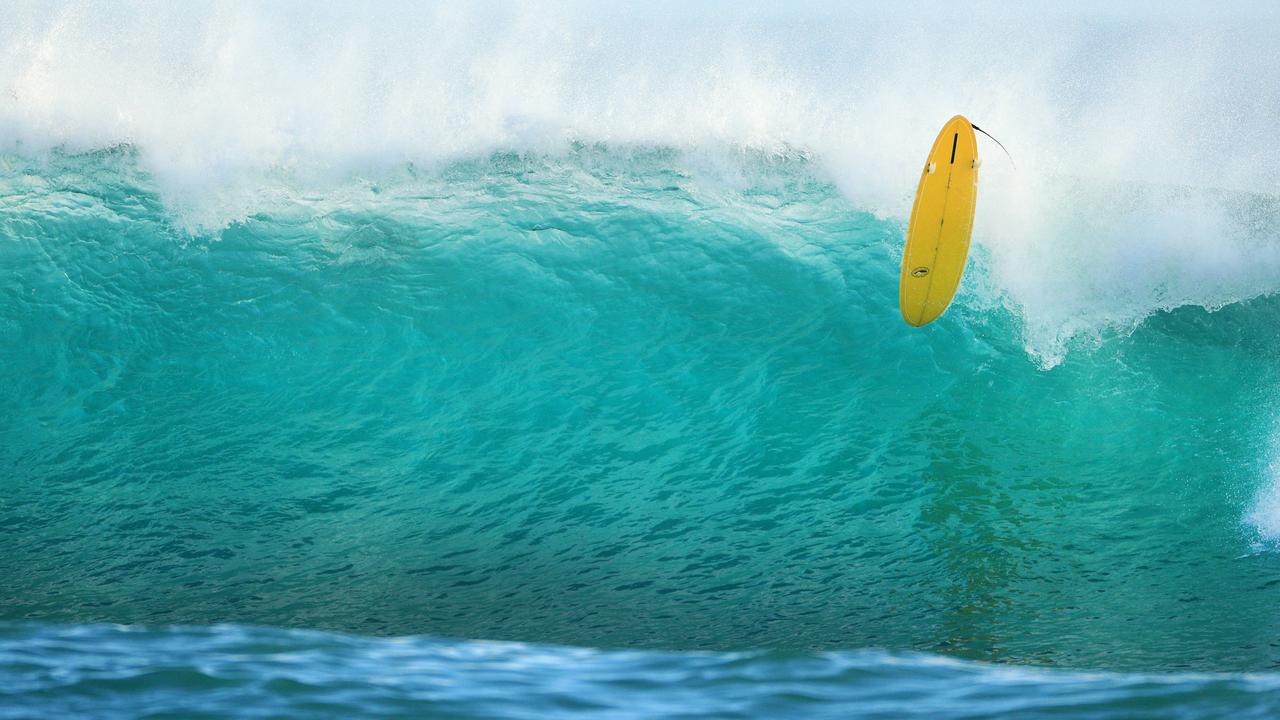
(1145, 135)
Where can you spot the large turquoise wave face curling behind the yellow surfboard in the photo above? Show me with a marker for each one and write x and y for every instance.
(607, 400)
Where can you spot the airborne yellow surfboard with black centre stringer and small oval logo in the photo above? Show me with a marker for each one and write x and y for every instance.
(938, 236)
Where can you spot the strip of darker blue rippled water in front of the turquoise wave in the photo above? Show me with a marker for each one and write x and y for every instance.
(228, 672)
